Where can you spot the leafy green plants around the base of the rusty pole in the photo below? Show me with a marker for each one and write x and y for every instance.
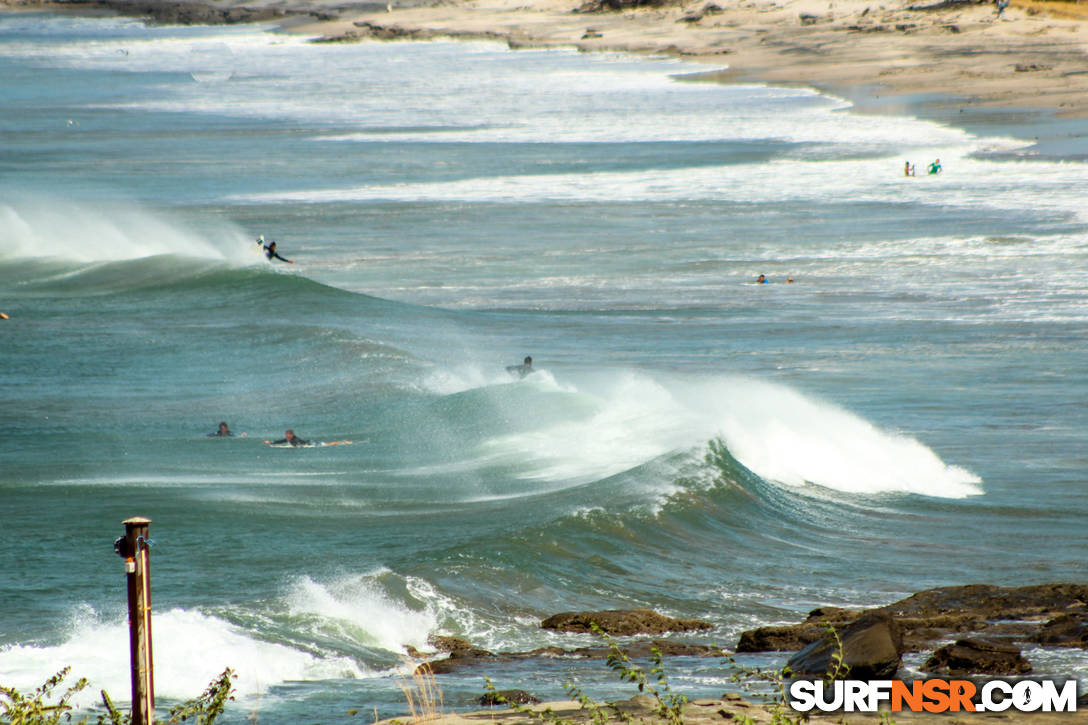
(45, 708)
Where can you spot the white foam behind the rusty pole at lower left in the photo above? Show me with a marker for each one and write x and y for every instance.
(191, 649)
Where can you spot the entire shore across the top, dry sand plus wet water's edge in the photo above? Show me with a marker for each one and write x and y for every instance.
(1023, 75)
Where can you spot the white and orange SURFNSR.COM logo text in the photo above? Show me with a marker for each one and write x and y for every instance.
(934, 696)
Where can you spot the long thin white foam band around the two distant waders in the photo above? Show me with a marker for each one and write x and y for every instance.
(969, 183)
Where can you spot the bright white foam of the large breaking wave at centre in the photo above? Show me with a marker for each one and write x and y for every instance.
(782, 435)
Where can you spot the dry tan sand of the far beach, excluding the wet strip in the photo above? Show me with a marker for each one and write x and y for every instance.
(1033, 56)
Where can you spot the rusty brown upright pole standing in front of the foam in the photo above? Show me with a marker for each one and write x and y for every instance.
(139, 574)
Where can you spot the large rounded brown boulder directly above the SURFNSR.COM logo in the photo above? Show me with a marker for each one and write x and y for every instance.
(872, 647)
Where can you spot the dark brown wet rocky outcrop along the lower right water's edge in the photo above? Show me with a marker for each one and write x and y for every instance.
(873, 642)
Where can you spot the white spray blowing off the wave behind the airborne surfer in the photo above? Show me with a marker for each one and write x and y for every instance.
(42, 228)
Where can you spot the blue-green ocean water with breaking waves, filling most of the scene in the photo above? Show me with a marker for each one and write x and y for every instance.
(909, 413)
